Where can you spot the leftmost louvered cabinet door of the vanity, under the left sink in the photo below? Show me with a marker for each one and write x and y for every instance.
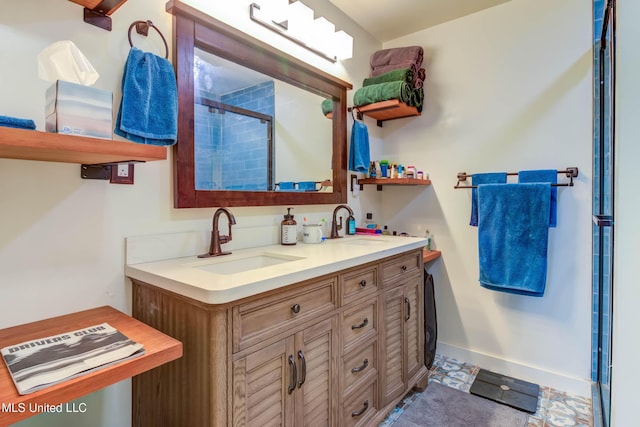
(264, 386)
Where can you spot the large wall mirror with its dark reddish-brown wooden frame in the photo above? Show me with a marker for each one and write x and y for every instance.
(289, 153)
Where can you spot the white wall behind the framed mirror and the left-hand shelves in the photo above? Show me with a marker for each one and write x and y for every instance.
(61, 237)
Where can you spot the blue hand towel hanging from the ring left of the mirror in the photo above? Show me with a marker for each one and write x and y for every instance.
(148, 111)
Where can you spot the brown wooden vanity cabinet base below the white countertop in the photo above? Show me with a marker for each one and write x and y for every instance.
(337, 350)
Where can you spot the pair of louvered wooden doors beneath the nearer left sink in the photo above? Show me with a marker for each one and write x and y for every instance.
(289, 382)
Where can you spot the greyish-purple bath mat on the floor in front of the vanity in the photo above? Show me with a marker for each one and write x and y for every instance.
(440, 405)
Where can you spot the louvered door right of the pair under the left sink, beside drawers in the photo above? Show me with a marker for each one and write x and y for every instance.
(315, 351)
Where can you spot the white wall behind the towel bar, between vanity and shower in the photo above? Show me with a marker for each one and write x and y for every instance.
(507, 89)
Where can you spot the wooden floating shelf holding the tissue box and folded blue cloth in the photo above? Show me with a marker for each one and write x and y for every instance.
(54, 147)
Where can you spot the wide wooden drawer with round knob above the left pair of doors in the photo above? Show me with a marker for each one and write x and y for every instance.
(259, 319)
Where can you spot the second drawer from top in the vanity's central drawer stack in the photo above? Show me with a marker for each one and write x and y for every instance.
(360, 323)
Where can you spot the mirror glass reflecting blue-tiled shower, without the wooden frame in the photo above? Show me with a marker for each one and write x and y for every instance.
(254, 133)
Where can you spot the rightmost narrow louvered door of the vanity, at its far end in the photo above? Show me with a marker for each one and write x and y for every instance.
(414, 327)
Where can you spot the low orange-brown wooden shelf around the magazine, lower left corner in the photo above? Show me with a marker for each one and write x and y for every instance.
(159, 349)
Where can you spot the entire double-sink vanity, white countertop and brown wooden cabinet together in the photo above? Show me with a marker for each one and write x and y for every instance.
(326, 334)
